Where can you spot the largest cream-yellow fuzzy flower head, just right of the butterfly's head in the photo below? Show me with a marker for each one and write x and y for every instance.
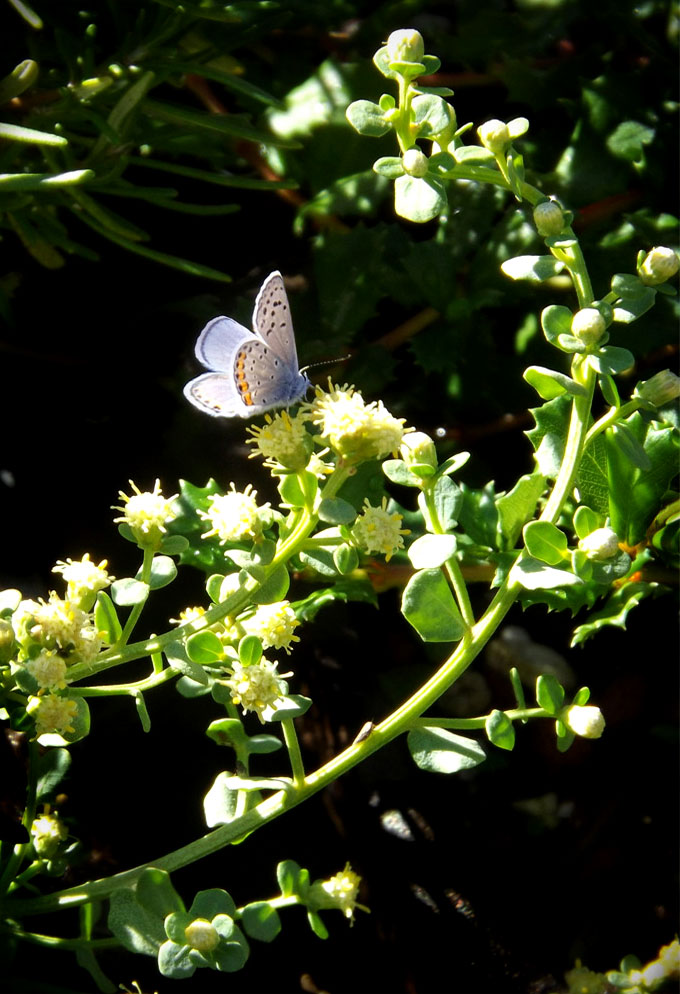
(355, 430)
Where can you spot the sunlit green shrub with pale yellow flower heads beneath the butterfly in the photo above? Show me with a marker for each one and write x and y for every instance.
(576, 531)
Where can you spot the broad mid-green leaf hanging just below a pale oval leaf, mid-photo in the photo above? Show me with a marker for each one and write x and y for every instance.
(428, 605)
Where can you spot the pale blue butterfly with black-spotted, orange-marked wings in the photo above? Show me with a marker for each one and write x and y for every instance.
(249, 371)
